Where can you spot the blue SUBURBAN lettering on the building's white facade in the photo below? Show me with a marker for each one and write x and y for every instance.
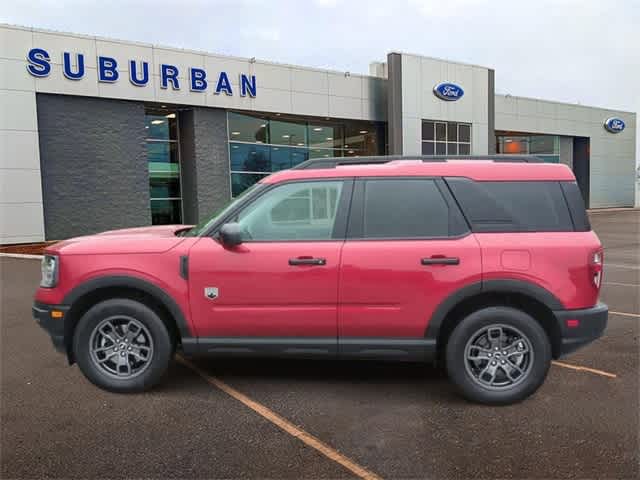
(109, 71)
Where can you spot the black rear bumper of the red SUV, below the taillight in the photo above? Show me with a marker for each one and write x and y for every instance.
(591, 323)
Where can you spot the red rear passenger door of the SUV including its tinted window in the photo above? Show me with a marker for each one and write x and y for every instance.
(408, 248)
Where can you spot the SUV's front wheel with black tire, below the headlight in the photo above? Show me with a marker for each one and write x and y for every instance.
(159, 350)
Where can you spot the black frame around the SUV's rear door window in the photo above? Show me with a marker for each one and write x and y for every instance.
(355, 228)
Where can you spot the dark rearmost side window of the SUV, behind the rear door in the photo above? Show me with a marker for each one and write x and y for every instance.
(512, 206)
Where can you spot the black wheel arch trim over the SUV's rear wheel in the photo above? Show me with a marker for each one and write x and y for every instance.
(529, 289)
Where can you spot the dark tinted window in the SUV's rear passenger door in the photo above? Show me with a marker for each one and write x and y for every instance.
(402, 208)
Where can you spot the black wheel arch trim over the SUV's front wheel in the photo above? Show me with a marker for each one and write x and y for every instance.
(126, 281)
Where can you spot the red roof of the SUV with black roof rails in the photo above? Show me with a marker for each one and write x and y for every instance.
(476, 169)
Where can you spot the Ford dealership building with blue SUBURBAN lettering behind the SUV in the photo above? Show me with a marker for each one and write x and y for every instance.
(98, 134)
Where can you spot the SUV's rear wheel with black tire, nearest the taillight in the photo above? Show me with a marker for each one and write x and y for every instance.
(467, 339)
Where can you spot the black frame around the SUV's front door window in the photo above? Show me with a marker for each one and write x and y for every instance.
(343, 209)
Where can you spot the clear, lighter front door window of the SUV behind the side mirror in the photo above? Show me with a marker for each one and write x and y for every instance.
(294, 211)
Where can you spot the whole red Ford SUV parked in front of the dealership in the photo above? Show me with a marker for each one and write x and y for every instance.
(487, 265)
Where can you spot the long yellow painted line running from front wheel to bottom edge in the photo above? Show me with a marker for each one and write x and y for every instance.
(283, 423)
